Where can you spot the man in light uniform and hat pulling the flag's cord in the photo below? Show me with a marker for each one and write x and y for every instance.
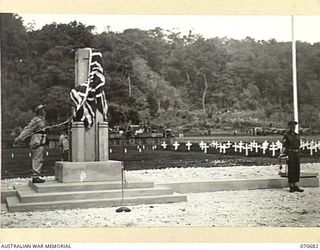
(35, 129)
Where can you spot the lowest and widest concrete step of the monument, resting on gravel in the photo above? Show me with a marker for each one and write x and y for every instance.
(14, 204)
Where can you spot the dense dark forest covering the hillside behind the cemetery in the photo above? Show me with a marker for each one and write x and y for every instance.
(159, 76)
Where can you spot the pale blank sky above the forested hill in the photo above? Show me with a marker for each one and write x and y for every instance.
(238, 27)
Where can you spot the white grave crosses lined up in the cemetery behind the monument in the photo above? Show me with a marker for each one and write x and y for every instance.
(274, 147)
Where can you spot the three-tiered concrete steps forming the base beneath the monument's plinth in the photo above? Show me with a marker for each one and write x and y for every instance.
(56, 195)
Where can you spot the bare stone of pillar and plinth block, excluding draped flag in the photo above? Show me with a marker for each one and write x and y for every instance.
(90, 150)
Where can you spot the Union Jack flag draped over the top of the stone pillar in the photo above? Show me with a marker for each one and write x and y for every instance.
(90, 96)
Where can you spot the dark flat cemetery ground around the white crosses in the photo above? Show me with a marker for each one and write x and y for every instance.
(17, 162)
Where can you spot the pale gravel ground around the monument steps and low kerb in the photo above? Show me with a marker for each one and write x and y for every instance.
(252, 208)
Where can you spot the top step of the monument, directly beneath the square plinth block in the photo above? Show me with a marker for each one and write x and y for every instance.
(56, 186)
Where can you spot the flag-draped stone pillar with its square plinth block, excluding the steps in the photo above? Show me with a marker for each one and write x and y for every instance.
(89, 141)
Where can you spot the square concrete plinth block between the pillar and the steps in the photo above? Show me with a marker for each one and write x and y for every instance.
(88, 171)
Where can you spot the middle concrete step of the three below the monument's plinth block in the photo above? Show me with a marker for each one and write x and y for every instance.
(27, 195)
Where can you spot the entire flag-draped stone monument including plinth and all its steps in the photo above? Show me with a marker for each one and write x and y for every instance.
(90, 179)
